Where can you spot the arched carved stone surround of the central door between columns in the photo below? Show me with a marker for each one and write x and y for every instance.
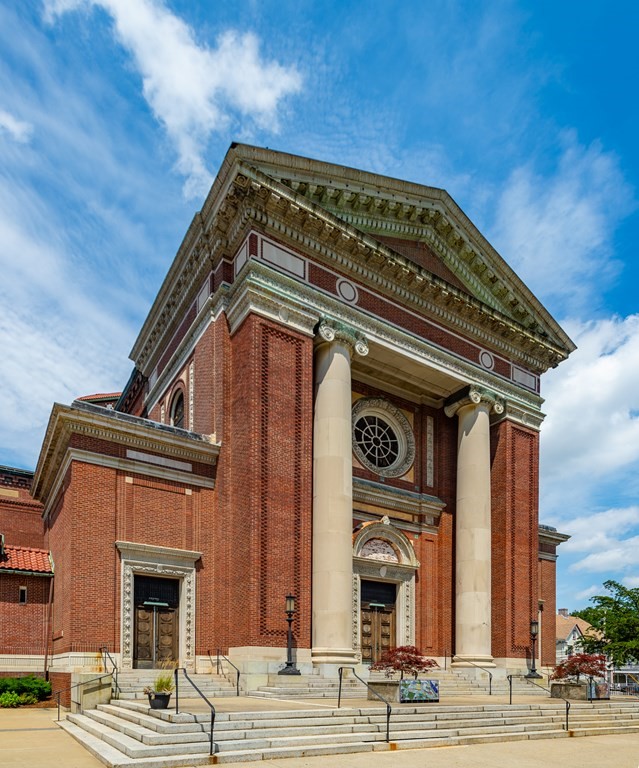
(397, 564)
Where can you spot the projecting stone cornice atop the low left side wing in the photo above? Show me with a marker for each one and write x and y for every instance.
(103, 424)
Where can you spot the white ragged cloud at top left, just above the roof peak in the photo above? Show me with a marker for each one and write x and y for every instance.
(195, 90)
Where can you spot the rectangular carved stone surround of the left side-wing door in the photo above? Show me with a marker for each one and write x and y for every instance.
(145, 559)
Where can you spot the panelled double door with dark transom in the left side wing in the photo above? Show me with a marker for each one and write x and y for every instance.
(156, 622)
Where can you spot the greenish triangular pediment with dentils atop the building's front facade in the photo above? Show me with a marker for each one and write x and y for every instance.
(421, 224)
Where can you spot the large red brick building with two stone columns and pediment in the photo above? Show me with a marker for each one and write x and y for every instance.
(335, 395)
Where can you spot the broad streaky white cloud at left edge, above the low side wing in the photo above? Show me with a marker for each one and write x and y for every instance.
(57, 342)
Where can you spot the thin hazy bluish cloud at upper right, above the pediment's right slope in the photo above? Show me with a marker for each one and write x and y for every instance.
(557, 229)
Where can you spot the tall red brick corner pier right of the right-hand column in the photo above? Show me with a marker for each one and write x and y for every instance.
(514, 479)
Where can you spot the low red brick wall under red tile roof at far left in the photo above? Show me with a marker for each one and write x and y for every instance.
(23, 626)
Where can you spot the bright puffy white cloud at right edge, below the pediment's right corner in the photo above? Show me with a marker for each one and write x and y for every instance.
(591, 433)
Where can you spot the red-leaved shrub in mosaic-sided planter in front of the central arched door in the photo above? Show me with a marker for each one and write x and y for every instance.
(398, 663)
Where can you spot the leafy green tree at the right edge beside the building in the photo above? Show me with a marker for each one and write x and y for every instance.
(615, 621)
